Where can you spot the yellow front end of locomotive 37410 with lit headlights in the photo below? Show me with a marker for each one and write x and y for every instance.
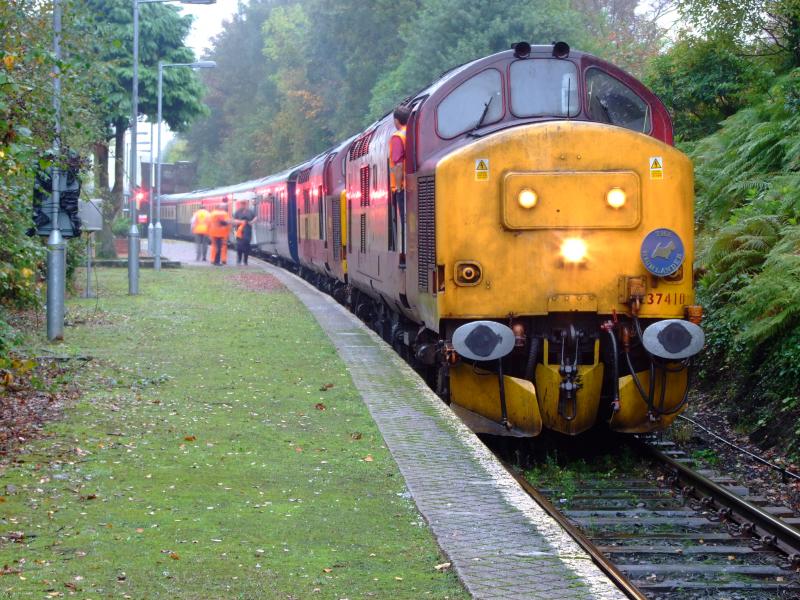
(579, 237)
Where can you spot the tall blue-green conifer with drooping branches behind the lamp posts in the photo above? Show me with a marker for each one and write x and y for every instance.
(162, 31)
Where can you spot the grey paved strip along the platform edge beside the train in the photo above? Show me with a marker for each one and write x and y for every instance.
(500, 542)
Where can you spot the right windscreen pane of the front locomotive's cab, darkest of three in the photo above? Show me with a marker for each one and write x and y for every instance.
(611, 101)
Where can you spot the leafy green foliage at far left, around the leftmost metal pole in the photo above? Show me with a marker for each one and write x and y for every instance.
(27, 129)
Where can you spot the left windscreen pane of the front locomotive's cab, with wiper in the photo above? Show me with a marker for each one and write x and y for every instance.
(477, 101)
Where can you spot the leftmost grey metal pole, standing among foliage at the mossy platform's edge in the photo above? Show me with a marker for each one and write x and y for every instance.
(56, 255)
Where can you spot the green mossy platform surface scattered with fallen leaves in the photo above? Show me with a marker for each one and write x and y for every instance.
(205, 460)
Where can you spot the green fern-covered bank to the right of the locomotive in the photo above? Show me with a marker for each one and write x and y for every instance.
(748, 184)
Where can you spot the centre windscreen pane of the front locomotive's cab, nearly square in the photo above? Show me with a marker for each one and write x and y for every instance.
(544, 88)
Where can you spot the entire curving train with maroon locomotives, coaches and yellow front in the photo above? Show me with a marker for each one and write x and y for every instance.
(538, 267)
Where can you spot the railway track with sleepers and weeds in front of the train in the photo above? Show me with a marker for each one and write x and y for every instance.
(662, 529)
